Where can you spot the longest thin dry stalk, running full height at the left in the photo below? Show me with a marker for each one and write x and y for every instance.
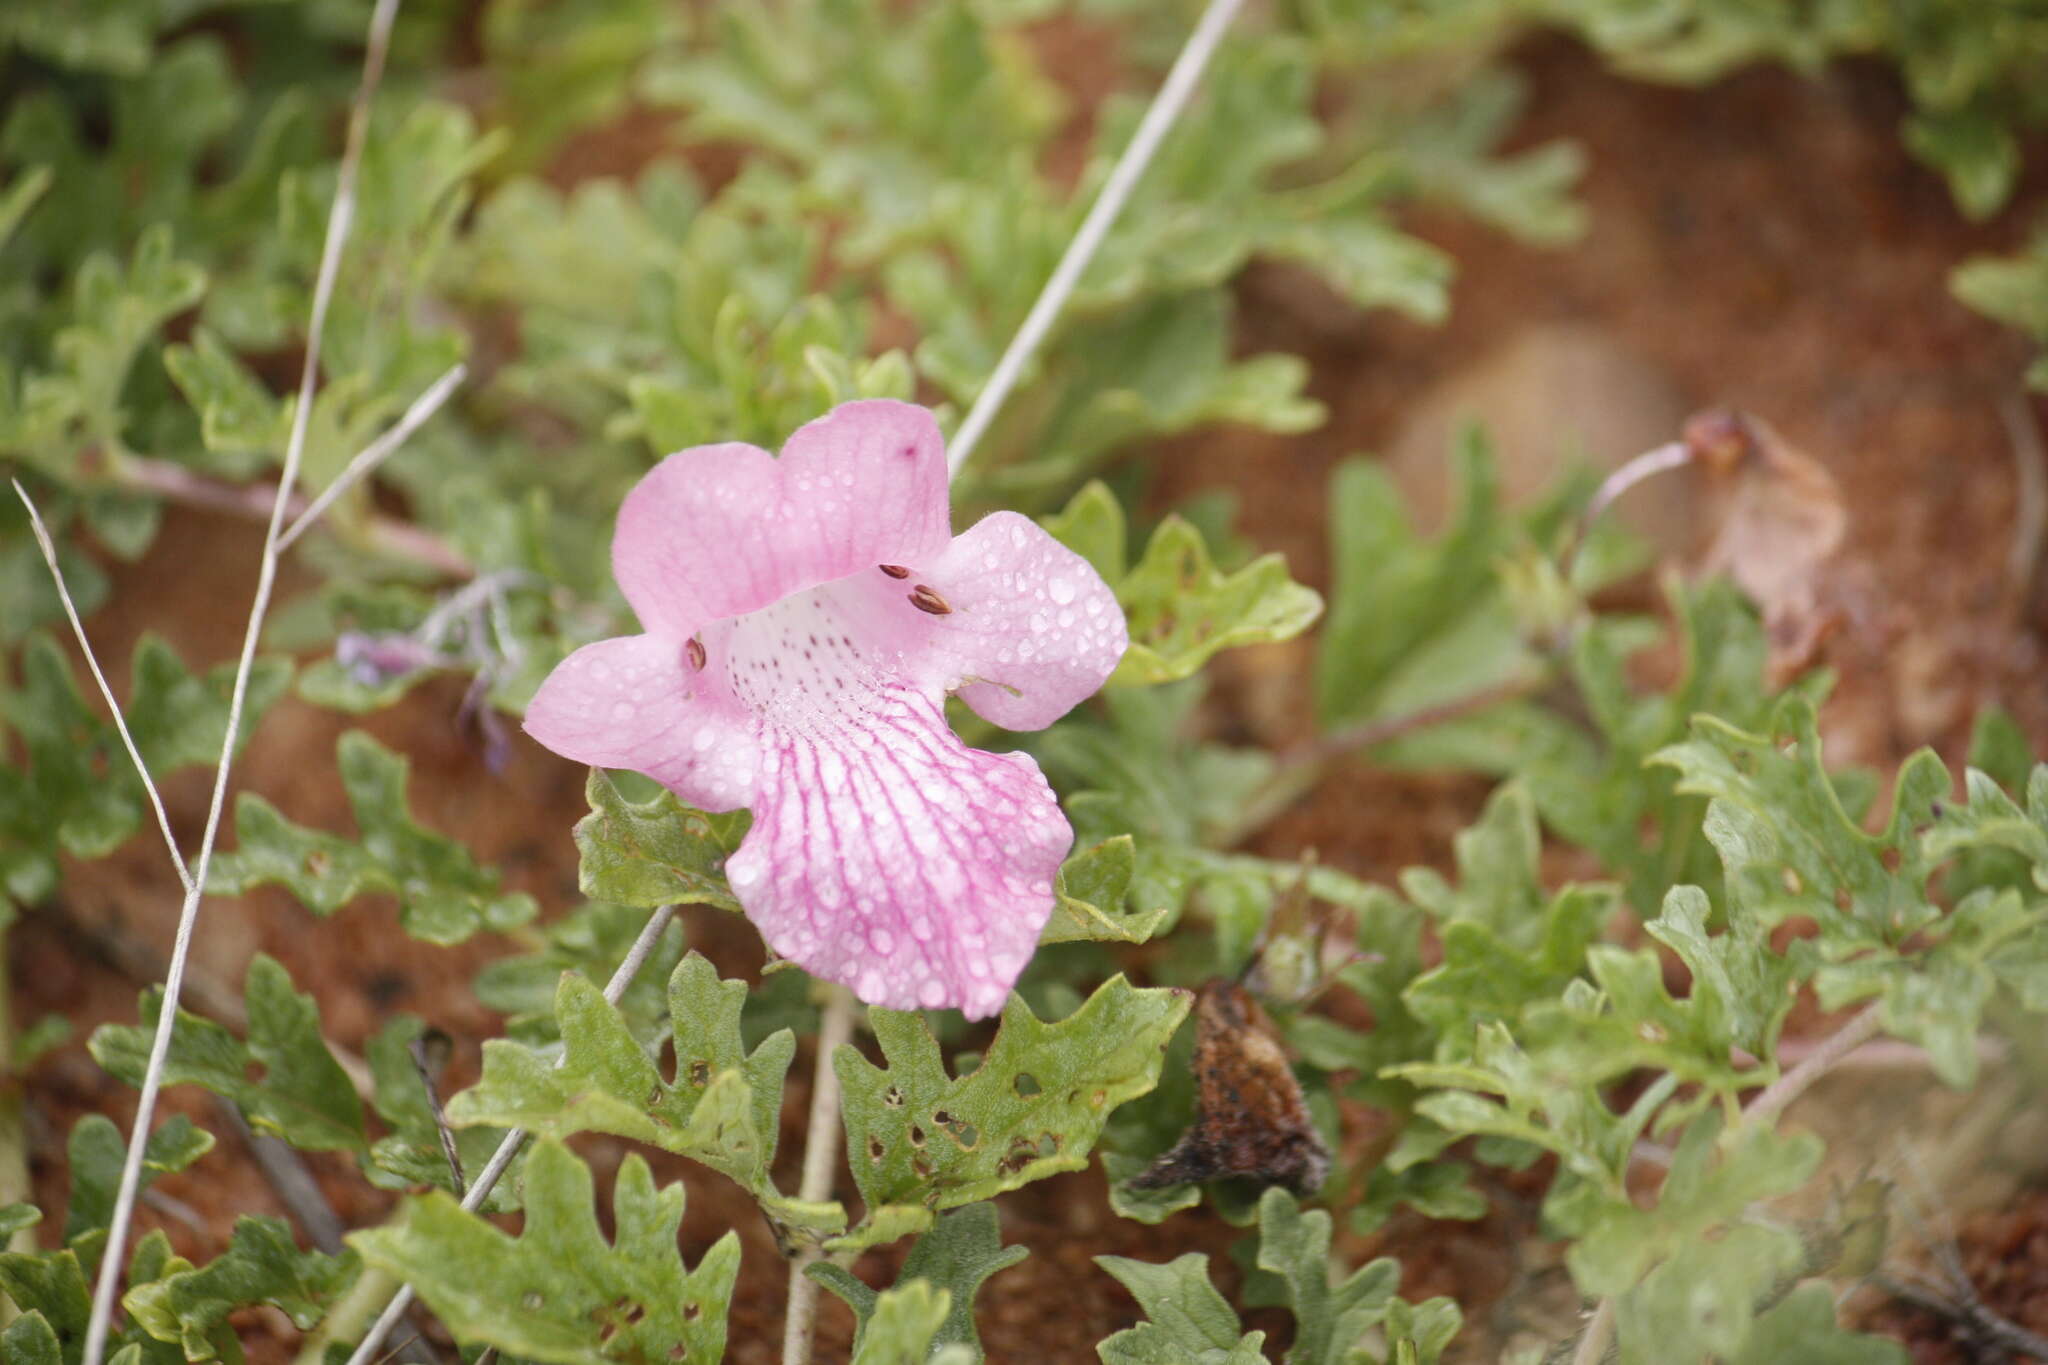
(331, 257)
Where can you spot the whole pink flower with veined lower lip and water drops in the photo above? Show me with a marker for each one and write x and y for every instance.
(806, 621)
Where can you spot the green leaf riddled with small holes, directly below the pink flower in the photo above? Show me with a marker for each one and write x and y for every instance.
(1033, 1108)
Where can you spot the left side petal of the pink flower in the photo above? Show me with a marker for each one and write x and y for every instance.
(636, 703)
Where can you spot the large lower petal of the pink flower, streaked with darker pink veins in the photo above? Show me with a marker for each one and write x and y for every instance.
(896, 861)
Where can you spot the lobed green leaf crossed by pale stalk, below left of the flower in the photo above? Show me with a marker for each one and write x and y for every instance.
(722, 1108)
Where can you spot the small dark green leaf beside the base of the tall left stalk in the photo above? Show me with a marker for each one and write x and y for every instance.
(261, 1266)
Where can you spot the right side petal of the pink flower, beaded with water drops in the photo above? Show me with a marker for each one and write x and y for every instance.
(1031, 621)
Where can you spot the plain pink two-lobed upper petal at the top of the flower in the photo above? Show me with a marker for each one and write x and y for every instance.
(722, 531)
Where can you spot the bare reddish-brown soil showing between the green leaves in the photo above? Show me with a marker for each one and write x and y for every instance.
(1760, 243)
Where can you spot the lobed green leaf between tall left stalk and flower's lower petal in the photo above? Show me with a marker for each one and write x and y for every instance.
(443, 893)
